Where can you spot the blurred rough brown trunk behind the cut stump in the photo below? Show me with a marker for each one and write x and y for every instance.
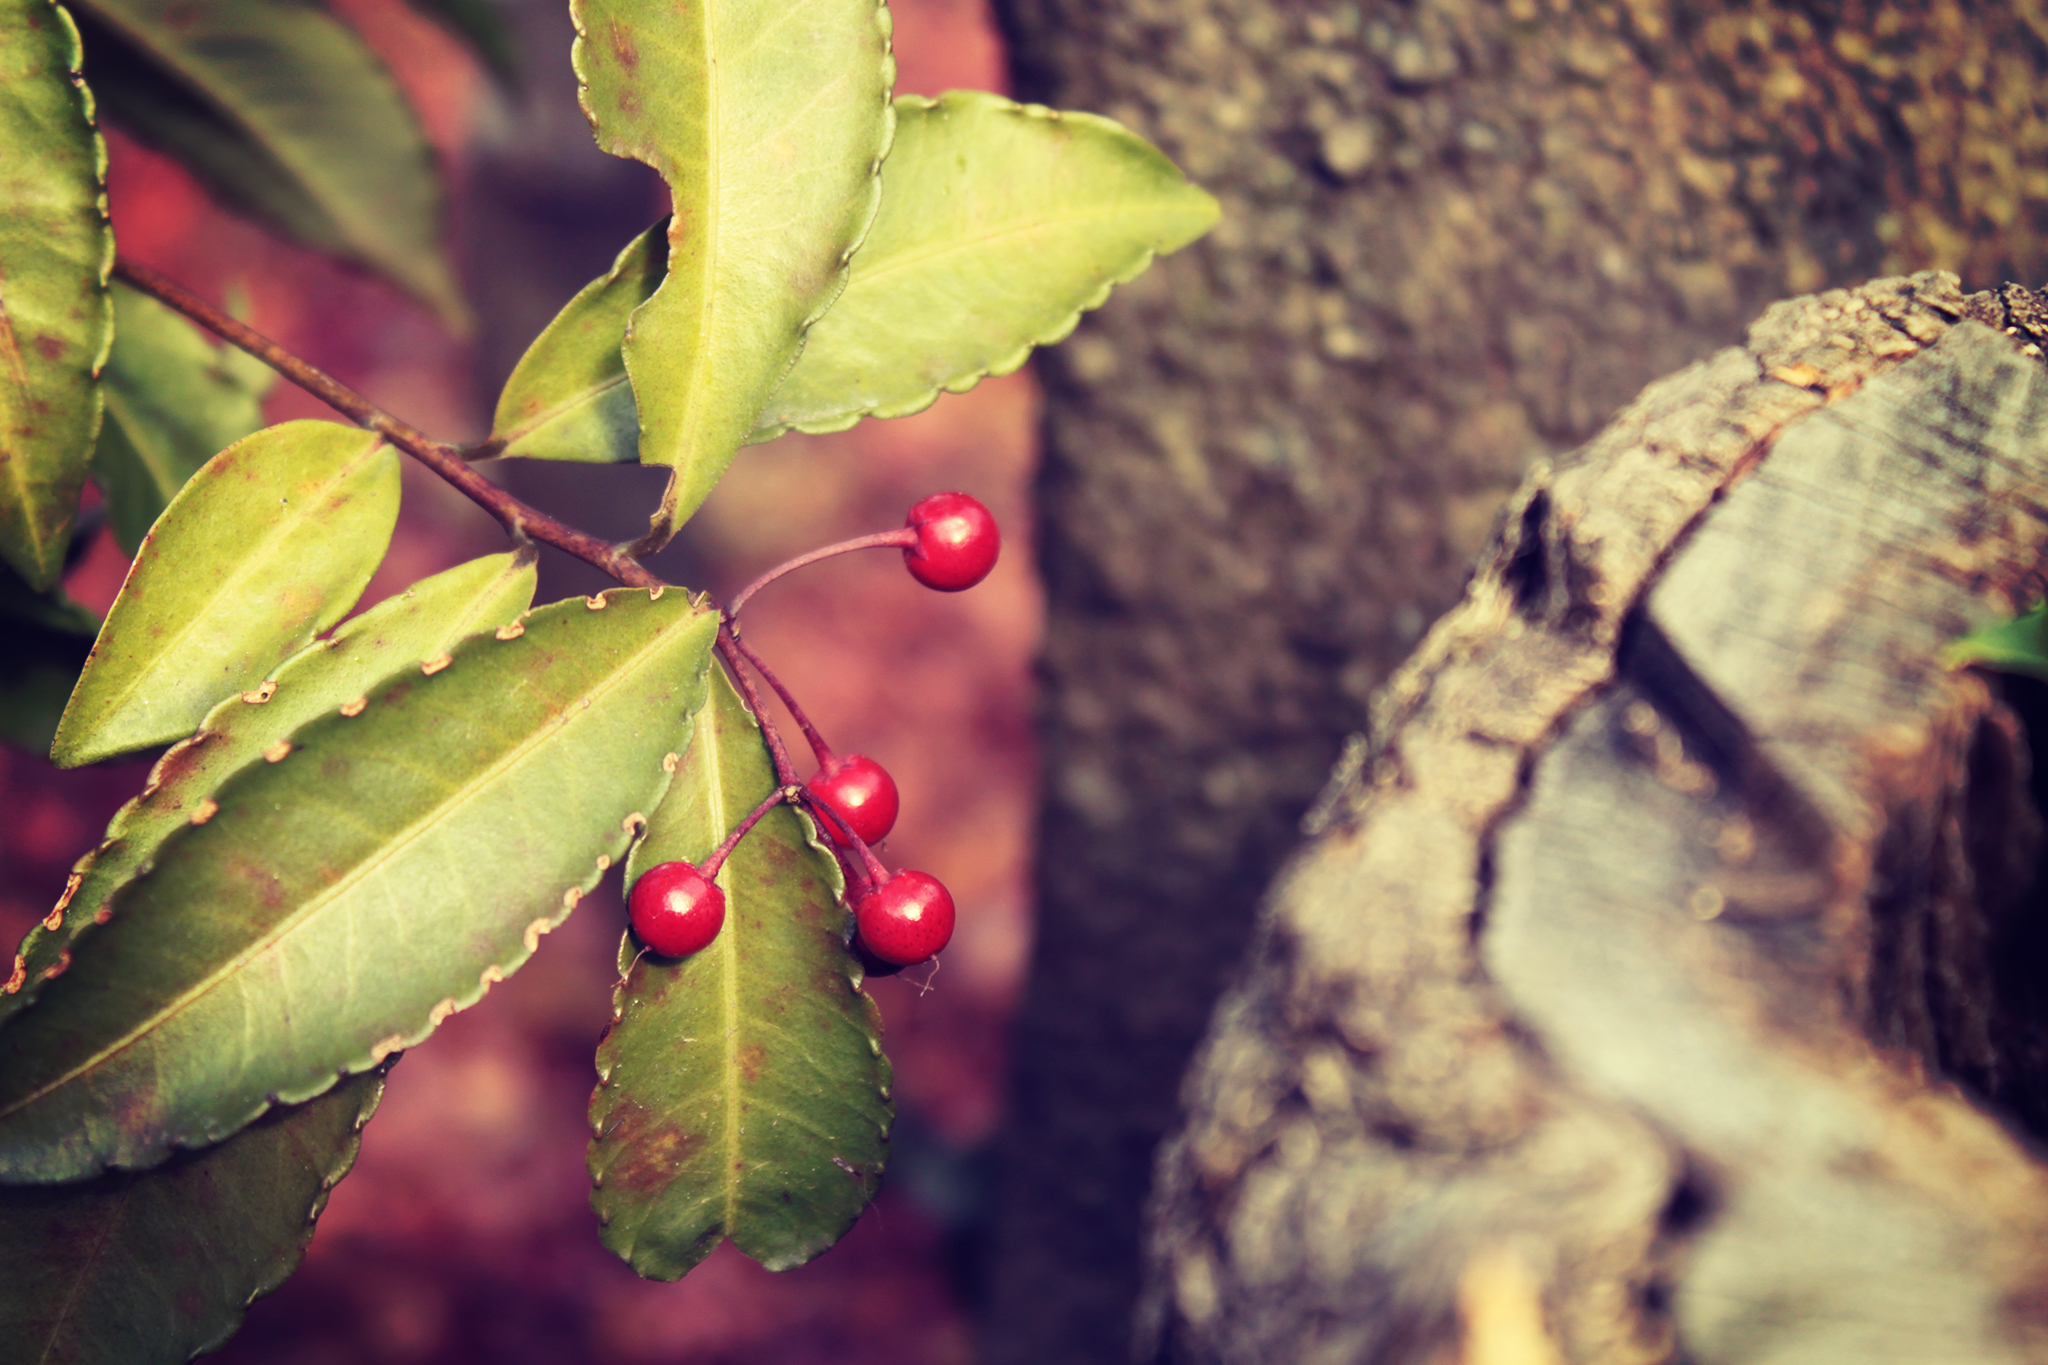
(1457, 236)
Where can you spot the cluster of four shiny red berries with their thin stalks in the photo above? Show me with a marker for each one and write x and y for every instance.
(949, 543)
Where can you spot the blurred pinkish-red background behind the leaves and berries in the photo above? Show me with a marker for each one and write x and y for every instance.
(464, 1233)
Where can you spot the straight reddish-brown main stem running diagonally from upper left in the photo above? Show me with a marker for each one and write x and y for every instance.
(447, 461)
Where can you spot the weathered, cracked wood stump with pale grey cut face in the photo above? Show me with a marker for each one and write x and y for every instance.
(1664, 971)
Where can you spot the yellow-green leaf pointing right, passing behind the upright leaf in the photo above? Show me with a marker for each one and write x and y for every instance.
(1000, 226)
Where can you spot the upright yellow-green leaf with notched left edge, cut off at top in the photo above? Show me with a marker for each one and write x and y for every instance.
(769, 122)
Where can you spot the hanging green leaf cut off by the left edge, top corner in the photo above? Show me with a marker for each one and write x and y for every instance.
(56, 251)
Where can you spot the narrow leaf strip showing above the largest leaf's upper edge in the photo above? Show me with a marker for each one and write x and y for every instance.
(423, 623)
